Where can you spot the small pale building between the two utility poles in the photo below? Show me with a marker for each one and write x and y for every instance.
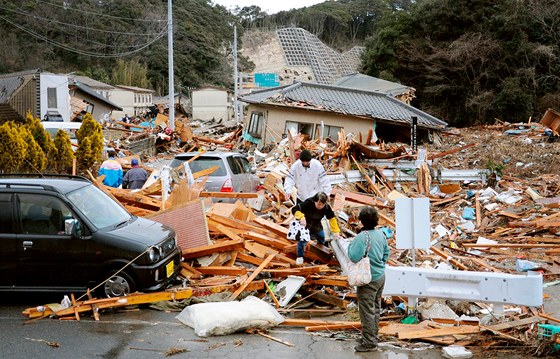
(209, 103)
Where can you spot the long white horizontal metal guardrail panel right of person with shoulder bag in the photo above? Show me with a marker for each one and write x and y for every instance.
(498, 288)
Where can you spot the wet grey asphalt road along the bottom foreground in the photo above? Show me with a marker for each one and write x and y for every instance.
(148, 333)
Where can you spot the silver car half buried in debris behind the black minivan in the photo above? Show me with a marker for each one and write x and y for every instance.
(234, 173)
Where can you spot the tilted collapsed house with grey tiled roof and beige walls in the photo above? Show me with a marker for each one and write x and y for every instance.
(322, 111)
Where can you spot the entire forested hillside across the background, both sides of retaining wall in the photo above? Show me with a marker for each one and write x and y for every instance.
(470, 60)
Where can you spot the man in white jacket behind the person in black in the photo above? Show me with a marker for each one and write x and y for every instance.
(308, 176)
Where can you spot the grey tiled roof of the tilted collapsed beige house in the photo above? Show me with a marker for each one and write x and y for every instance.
(346, 101)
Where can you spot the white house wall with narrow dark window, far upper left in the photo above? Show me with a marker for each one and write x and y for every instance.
(60, 83)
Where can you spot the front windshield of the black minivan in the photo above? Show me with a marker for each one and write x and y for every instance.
(99, 208)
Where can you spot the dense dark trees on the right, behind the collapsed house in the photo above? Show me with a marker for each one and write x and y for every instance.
(473, 60)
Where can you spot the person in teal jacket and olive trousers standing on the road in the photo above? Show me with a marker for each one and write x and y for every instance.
(369, 295)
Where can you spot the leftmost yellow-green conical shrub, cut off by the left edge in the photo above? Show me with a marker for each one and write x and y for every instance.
(12, 147)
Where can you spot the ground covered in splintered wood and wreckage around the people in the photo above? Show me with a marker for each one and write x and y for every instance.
(494, 194)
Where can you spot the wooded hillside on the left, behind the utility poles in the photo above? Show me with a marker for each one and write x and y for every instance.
(119, 40)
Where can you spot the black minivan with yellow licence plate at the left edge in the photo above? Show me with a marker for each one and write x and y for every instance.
(63, 233)
